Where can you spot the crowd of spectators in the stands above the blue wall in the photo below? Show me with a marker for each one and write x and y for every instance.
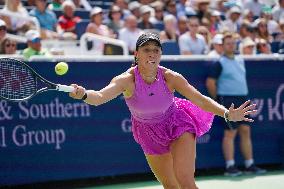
(196, 26)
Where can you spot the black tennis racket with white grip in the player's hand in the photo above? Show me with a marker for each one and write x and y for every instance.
(19, 82)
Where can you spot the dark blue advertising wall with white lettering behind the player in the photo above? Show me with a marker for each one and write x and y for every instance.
(53, 137)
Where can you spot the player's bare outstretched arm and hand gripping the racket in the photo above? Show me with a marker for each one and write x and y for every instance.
(117, 86)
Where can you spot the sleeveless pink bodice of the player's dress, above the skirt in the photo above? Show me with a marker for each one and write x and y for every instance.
(150, 102)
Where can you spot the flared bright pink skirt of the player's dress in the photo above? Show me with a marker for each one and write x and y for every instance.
(183, 116)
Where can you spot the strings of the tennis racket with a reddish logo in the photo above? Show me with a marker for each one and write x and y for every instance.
(16, 81)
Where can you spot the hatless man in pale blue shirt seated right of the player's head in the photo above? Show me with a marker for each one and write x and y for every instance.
(191, 42)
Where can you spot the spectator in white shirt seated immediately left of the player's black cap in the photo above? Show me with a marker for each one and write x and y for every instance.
(130, 33)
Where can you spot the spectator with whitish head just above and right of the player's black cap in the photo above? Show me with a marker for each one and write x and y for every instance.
(170, 31)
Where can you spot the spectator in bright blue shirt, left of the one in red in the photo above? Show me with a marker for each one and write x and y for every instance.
(47, 19)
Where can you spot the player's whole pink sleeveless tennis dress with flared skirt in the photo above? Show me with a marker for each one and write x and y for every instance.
(158, 118)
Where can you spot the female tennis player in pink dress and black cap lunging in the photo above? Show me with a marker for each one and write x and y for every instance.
(166, 127)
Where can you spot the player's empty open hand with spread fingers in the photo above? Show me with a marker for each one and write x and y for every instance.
(240, 113)
